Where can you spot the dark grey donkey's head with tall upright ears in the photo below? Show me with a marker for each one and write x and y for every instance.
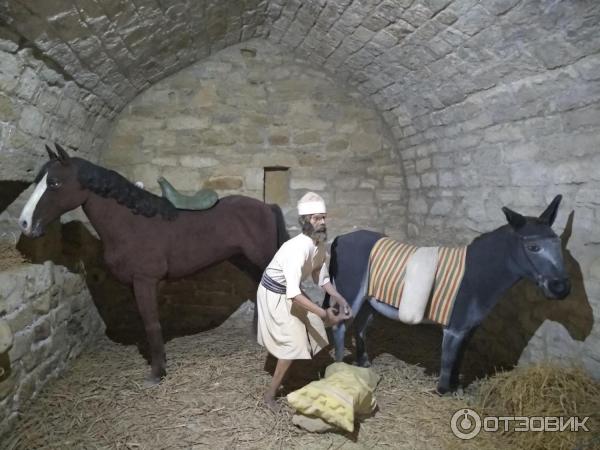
(536, 252)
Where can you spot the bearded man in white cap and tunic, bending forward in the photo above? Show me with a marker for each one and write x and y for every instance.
(290, 325)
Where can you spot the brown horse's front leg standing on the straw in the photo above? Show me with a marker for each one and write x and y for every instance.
(145, 297)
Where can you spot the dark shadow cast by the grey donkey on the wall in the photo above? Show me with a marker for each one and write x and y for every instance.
(504, 334)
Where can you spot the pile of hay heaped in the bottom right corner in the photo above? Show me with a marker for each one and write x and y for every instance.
(544, 390)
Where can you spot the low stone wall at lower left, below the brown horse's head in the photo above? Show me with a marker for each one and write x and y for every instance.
(47, 318)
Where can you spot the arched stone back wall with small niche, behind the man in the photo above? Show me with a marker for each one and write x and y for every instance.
(220, 122)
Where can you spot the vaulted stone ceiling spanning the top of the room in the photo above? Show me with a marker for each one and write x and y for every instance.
(412, 57)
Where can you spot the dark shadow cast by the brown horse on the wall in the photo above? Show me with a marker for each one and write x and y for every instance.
(186, 306)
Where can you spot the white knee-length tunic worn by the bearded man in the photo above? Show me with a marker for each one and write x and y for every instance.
(285, 329)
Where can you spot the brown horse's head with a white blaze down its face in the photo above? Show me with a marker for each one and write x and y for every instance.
(57, 191)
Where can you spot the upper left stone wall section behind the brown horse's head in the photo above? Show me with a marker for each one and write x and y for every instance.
(39, 104)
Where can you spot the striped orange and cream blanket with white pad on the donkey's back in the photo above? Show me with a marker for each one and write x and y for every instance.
(420, 282)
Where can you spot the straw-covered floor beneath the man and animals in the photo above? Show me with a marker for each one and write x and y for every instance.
(212, 398)
